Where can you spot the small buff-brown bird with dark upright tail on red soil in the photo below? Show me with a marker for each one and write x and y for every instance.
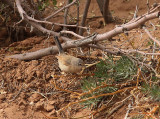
(68, 63)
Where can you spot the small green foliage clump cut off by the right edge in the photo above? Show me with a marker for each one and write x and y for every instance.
(153, 91)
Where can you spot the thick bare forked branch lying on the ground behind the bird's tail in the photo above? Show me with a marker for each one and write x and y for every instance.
(80, 42)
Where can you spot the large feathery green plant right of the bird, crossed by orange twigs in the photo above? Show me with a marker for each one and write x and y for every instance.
(108, 72)
